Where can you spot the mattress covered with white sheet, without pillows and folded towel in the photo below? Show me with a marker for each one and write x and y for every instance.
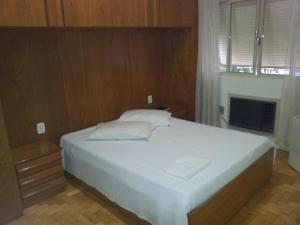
(132, 173)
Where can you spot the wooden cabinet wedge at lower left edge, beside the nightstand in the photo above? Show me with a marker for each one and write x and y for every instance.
(10, 203)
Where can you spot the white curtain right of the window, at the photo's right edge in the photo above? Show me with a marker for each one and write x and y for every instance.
(290, 102)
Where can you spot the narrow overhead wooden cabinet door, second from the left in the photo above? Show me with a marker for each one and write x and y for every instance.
(54, 12)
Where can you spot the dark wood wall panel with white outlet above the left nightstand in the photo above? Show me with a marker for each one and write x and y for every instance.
(31, 85)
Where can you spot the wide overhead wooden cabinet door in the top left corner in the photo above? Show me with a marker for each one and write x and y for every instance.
(18, 13)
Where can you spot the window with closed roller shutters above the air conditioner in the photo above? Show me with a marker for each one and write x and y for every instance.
(254, 36)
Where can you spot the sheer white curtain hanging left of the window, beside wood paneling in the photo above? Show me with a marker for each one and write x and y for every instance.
(208, 78)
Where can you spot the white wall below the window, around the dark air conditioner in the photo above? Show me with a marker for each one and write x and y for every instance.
(247, 85)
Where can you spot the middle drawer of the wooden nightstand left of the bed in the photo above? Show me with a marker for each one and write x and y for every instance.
(41, 177)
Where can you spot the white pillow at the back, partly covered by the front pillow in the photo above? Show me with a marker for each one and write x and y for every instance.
(158, 118)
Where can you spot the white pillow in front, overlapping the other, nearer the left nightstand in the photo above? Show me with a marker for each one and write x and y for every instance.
(118, 130)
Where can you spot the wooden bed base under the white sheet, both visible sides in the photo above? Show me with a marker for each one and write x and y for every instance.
(221, 207)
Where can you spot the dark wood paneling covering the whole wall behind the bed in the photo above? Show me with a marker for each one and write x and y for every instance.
(72, 79)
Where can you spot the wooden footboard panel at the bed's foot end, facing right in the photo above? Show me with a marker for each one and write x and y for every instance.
(229, 200)
